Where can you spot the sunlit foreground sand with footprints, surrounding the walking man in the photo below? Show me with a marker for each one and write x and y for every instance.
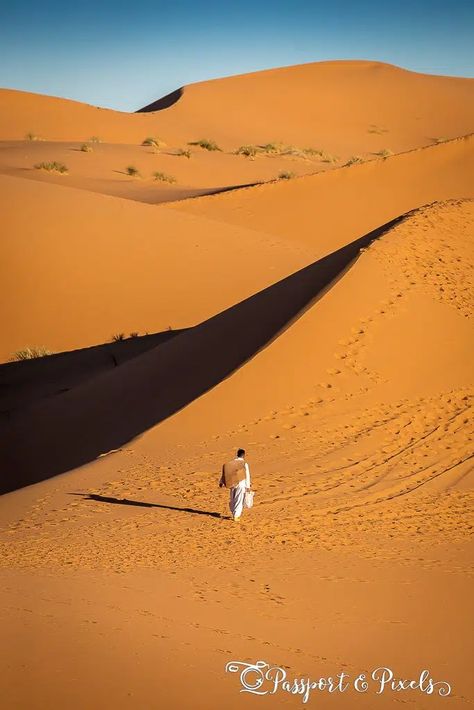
(359, 447)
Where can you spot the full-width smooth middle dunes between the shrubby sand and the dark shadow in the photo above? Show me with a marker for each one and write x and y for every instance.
(279, 226)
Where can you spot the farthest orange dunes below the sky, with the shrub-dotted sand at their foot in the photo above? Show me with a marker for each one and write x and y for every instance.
(341, 109)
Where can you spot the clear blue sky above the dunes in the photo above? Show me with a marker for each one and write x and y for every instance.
(124, 54)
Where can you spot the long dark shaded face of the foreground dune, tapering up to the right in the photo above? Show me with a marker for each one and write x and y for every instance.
(75, 427)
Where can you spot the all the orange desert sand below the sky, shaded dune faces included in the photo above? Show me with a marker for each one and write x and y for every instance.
(308, 298)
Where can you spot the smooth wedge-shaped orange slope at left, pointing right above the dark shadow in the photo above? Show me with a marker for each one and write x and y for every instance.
(77, 268)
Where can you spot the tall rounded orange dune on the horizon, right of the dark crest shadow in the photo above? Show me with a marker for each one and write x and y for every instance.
(330, 104)
